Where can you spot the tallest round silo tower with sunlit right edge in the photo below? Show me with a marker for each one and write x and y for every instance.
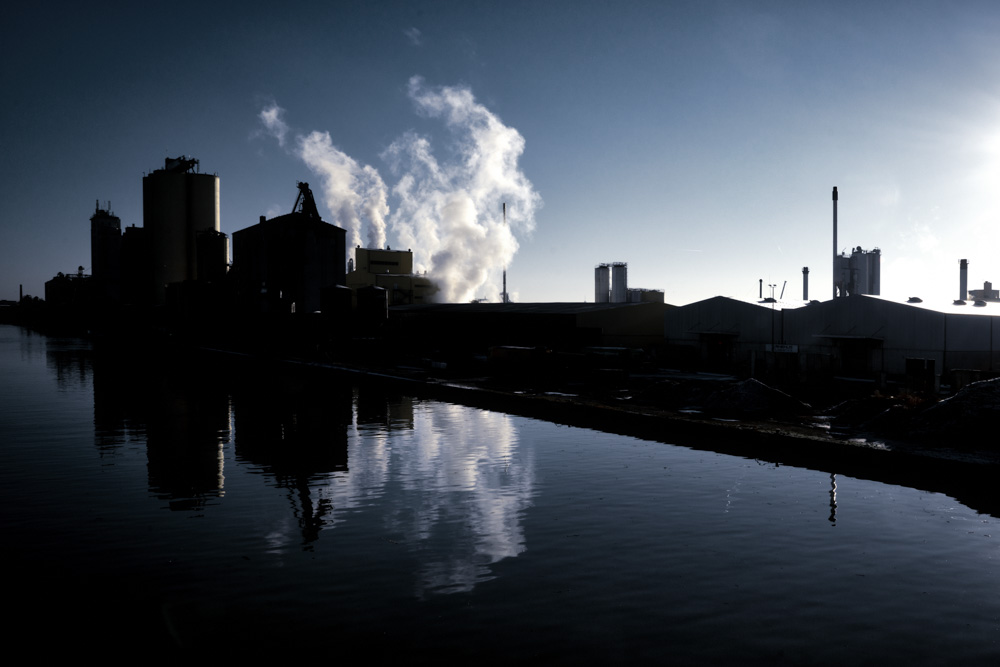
(177, 204)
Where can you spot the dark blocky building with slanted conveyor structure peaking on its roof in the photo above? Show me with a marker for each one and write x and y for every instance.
(285, 264)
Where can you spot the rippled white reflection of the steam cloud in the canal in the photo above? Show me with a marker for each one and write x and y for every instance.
(454, 487)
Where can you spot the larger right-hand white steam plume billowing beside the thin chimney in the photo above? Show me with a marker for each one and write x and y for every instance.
(451, 213)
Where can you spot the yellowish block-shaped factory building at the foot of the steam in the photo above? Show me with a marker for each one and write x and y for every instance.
(392, 271)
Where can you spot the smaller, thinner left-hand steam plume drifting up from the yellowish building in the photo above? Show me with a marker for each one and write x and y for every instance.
(351, 191)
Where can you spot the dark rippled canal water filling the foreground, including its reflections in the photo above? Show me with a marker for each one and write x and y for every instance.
(180, 504)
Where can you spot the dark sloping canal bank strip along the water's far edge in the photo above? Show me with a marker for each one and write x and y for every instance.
(967, 476)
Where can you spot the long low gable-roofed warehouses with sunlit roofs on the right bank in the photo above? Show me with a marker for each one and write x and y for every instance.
(864, 337)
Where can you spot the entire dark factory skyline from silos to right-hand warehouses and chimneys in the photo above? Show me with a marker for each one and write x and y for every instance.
(292, 291)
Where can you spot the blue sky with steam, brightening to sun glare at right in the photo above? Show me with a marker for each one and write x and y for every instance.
(697, 141)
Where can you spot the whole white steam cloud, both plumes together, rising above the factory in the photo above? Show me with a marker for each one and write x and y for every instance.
(448, 212)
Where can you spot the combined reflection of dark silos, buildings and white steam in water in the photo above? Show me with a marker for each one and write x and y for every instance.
(449, 484)
